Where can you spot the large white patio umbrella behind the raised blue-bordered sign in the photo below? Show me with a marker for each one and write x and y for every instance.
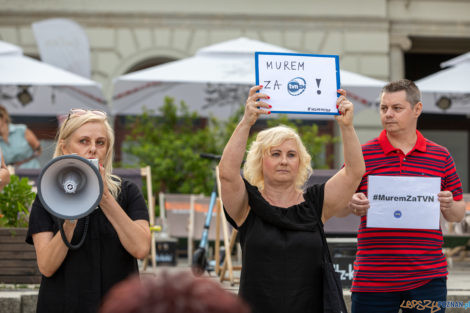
(214, 81)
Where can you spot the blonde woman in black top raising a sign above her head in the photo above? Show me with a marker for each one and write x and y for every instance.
(279, 232)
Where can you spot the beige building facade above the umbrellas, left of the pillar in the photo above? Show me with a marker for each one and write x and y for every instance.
(123, 33)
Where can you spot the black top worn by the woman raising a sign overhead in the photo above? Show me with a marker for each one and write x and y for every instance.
(282, 254)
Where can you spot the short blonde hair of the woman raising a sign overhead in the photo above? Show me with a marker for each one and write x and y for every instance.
(265, 140)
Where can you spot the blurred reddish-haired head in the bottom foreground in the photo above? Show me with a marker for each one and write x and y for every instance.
(178, 292)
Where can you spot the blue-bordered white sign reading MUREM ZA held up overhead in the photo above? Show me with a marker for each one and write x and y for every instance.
(299, 83)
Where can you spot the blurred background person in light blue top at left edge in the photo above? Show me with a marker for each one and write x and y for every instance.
(19, 144)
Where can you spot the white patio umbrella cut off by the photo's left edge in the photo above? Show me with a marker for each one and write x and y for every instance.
(31, 87)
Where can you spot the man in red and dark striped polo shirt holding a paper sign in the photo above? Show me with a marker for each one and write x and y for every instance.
(398, 264)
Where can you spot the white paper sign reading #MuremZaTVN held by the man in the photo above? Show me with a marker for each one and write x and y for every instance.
(403, 202)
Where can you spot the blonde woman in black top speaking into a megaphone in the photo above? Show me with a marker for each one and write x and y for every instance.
(118, 231)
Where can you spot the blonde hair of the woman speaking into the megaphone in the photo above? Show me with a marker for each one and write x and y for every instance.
(74, 122)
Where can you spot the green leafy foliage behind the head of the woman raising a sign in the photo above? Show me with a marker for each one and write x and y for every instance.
(171, 143)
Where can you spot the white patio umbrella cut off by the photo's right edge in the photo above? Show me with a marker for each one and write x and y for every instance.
(448, 91)
